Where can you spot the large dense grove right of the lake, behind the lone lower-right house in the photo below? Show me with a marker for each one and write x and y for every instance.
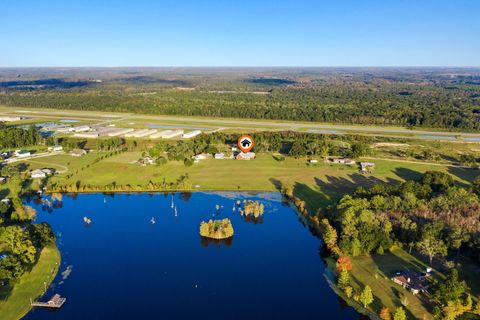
(432, 215)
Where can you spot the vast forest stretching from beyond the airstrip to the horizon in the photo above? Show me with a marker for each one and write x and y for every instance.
(443, 98)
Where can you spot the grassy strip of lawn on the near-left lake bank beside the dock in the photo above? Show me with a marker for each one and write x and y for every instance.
(31, 285)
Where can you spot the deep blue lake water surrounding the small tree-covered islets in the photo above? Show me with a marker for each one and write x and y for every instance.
(124, 267)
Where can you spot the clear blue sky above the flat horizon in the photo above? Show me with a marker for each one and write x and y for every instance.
(239, 33)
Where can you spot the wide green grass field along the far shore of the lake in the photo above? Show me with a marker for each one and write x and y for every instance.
(315, 183)
